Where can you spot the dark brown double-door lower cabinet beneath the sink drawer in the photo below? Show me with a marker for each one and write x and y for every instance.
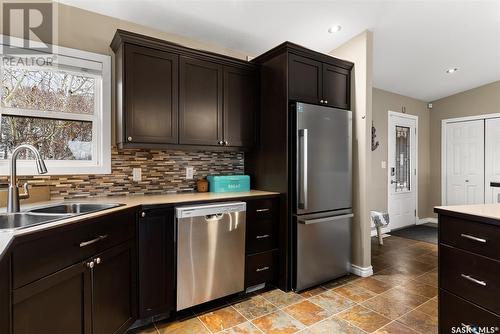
(91, 297)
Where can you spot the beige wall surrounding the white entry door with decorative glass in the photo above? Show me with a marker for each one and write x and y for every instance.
(383, 101)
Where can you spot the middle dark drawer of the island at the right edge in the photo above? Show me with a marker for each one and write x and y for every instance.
(473, 277)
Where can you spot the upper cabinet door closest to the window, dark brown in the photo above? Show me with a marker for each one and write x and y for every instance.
(151, 95)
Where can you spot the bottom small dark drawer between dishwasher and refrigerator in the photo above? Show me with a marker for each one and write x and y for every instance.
(260, 268)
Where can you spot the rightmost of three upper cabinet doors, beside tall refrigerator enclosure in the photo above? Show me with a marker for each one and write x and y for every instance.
(241, 102)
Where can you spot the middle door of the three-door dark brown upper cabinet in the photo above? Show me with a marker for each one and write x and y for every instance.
(200, 102)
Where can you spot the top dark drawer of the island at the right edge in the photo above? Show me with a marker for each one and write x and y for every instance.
(472, 236)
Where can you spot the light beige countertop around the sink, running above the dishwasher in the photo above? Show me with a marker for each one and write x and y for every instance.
(127, 201)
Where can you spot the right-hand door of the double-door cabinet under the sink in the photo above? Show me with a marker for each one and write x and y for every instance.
(113, 290)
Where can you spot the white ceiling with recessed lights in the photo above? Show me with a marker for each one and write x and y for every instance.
(414, 41)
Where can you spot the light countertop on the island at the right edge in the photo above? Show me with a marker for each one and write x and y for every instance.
(488, 213)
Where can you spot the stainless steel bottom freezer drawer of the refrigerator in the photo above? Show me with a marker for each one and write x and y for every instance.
(323, 249)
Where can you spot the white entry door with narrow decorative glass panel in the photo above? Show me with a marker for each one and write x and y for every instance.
(402, 160)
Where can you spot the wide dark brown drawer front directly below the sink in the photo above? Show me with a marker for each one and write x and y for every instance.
(43, 256)
